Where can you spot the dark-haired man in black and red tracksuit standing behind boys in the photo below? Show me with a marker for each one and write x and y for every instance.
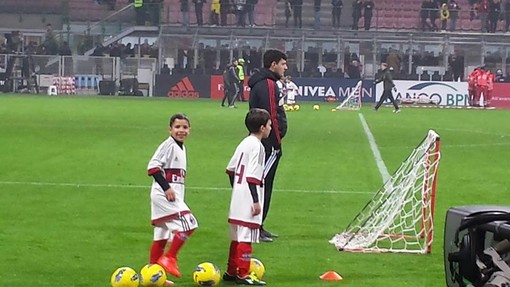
(264, 94)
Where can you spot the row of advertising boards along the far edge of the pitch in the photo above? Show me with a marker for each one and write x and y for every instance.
(432, 93)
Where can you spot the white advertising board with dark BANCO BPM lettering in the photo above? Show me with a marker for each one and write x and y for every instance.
(428, 92)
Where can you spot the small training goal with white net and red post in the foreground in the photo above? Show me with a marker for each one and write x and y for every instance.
(399, 217)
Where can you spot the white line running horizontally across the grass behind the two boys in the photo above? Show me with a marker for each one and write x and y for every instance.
(134, 186)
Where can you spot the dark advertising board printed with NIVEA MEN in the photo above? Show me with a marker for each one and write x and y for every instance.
(324, 89)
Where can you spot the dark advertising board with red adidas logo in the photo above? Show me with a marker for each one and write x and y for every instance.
(183, 86)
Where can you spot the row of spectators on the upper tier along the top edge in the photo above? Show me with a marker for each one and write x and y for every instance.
(435, 15)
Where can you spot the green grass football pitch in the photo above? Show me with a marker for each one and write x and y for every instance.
(74, 194)
